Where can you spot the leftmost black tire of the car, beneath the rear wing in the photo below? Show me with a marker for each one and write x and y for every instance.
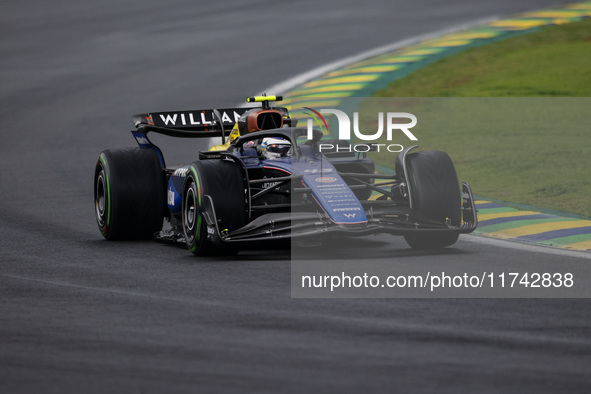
(129, 193)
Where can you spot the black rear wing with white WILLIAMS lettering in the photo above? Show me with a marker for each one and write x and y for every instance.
(189, 124)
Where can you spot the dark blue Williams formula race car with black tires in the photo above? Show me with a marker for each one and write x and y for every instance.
(269, 181)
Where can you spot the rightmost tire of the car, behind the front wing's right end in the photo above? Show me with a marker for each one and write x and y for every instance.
(436, 196)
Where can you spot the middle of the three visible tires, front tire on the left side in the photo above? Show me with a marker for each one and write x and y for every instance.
(222, 181)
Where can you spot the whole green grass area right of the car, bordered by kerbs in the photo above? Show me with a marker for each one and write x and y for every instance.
(528, 151)
